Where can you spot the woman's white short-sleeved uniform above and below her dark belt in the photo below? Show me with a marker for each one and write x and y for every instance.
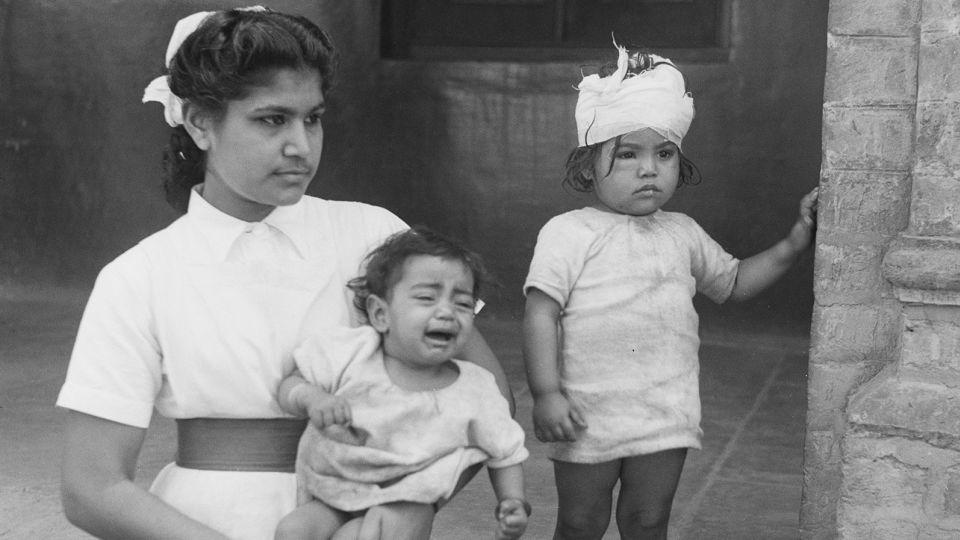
(200, 320)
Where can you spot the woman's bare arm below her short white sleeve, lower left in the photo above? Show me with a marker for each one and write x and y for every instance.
(97, 488)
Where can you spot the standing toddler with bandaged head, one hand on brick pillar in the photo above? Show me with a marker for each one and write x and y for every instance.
(610, 331)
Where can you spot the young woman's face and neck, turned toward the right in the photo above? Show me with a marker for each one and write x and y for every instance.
(265, 150)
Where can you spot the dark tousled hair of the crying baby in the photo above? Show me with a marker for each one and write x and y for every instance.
(384, 265)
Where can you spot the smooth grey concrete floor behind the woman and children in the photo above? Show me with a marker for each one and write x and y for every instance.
(744, 484)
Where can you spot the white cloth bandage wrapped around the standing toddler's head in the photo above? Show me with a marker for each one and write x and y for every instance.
(623, 102)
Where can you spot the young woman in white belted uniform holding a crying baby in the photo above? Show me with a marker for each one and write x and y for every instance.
(199, 319)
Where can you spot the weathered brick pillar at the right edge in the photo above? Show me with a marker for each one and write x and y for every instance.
(883, 440)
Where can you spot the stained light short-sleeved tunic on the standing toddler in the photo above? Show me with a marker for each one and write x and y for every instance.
(629, 330)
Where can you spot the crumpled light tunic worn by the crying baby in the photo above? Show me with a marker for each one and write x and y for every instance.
(401, 445)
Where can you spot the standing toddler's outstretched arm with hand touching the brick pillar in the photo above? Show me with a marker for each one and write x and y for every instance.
(758, 272)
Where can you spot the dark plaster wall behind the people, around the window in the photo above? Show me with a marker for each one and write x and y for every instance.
(474, 149)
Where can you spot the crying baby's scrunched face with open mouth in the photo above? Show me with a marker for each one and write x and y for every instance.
(429, 311)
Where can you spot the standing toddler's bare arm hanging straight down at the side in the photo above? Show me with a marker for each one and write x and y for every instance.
(554, 417)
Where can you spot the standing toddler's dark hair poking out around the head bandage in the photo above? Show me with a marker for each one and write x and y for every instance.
(579, 171)
